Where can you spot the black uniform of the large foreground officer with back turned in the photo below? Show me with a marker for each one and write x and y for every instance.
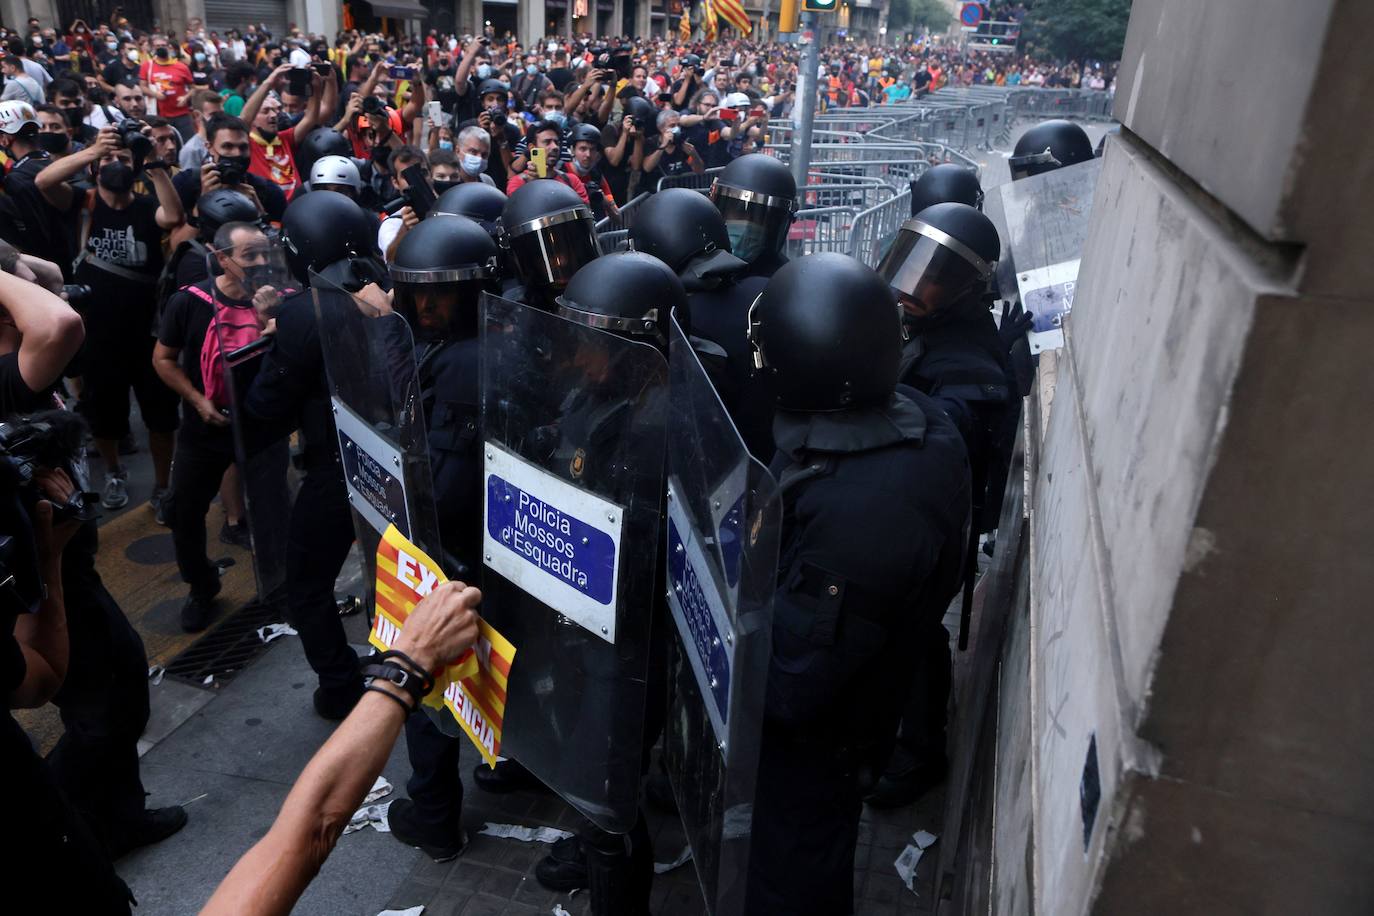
(875, 506)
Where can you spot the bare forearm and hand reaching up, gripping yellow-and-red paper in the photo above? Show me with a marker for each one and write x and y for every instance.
(273, 875)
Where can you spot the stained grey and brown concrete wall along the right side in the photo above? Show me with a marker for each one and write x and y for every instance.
(1202, 505)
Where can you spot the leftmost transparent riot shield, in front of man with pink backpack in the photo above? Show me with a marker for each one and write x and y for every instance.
(252, 286)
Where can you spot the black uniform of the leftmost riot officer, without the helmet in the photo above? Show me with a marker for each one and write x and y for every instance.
(291, 392)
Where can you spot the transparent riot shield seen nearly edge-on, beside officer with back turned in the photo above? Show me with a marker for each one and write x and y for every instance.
(725, 518)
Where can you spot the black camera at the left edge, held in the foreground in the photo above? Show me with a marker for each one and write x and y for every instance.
(49, 440)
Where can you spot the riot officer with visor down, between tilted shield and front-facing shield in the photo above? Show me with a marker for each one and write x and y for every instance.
(440, 271)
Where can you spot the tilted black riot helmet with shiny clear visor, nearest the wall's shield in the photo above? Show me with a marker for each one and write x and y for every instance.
(941, 256)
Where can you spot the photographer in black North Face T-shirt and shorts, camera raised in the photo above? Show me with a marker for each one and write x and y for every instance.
(122, 257)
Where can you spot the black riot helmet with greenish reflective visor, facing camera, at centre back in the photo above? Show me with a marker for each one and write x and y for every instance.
(758, 198)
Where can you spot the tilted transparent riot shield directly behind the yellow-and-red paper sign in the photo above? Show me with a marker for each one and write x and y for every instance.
(373, 369)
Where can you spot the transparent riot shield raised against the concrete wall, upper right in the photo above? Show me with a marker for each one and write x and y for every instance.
(1044, 222)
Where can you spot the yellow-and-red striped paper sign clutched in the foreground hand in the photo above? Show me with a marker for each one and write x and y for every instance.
(473, 686)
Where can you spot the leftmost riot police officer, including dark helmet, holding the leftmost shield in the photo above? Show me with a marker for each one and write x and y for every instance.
(328, 234)
